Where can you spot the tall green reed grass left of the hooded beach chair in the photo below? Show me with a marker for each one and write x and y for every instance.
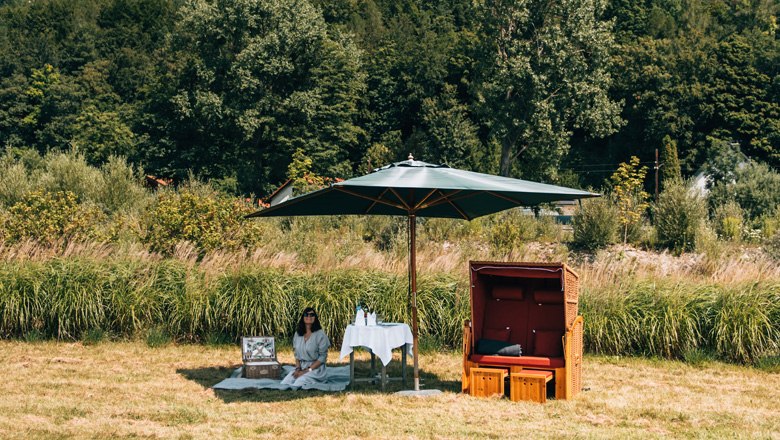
(171, 301)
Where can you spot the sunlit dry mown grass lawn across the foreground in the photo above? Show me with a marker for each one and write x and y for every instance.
(126, 389)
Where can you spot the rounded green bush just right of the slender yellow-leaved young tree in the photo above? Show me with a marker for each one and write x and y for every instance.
(677, 216)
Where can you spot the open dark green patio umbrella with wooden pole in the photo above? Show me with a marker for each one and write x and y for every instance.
(417, 189)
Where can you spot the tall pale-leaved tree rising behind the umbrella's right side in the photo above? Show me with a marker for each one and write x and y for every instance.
(545, 74)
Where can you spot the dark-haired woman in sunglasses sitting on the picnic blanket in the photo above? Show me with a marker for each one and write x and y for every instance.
(311, 350)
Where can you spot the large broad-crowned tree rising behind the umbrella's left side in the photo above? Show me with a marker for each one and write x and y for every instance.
(253, 81)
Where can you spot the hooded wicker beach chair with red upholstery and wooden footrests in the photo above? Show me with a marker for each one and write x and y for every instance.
(533, 305)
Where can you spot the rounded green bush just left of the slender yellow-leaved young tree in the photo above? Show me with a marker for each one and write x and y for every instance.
(596, 224)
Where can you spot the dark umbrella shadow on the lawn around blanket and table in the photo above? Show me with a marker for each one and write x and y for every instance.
(210, 376)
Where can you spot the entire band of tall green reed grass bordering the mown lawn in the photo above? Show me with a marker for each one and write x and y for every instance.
(67, 297)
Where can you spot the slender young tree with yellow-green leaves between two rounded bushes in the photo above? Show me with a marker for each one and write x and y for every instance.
(631, 199)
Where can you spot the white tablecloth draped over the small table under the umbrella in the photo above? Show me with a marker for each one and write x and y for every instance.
(381, 339)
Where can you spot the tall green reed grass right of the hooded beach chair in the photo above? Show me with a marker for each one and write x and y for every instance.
(673, 319)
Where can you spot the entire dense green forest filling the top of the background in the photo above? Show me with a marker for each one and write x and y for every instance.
(231, 90)
